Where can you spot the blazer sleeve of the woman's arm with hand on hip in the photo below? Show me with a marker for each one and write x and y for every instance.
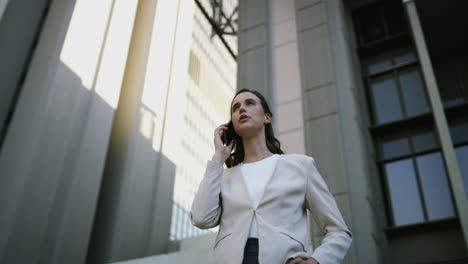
(326, 214)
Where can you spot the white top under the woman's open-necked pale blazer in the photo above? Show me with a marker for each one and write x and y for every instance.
(256, 176)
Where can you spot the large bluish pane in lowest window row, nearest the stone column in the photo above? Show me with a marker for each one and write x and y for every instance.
(404, 194)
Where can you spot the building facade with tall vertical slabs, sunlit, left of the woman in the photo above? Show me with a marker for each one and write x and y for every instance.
(107, 114)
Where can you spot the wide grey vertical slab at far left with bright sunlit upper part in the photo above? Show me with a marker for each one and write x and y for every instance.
(53, 155)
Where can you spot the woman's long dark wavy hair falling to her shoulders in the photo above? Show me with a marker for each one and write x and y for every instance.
(273, 144)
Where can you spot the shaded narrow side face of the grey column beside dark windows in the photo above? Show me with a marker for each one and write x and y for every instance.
(365, 197)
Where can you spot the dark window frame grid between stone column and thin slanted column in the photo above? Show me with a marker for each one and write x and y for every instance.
(387, 46)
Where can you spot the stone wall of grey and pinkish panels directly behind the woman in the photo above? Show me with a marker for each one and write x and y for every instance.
(299, 53)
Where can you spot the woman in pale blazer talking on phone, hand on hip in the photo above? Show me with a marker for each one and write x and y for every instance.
(260, 200)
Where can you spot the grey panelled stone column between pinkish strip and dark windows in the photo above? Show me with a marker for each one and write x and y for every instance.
(336, 125)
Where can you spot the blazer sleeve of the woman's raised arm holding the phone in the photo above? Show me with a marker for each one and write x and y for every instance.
(206, 209)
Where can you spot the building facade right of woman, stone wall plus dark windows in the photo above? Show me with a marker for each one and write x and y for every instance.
(378, 92)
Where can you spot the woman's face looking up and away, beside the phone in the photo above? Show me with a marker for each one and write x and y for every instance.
(247, 114)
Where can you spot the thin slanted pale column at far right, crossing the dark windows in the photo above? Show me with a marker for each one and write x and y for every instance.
(453, 171)
